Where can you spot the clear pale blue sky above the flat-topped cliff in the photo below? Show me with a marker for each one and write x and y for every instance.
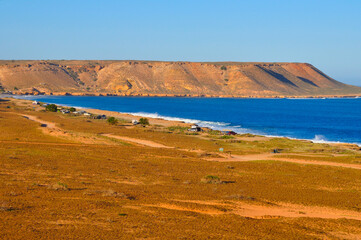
(325, 33)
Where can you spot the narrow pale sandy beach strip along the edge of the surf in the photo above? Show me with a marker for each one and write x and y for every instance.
(162, 120)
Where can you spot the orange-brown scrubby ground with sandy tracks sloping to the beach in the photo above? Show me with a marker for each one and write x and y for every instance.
(68, 176)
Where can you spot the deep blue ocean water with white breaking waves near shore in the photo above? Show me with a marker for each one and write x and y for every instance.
(337, 120)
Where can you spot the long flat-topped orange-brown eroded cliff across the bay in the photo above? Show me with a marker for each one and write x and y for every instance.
(147, 78)
